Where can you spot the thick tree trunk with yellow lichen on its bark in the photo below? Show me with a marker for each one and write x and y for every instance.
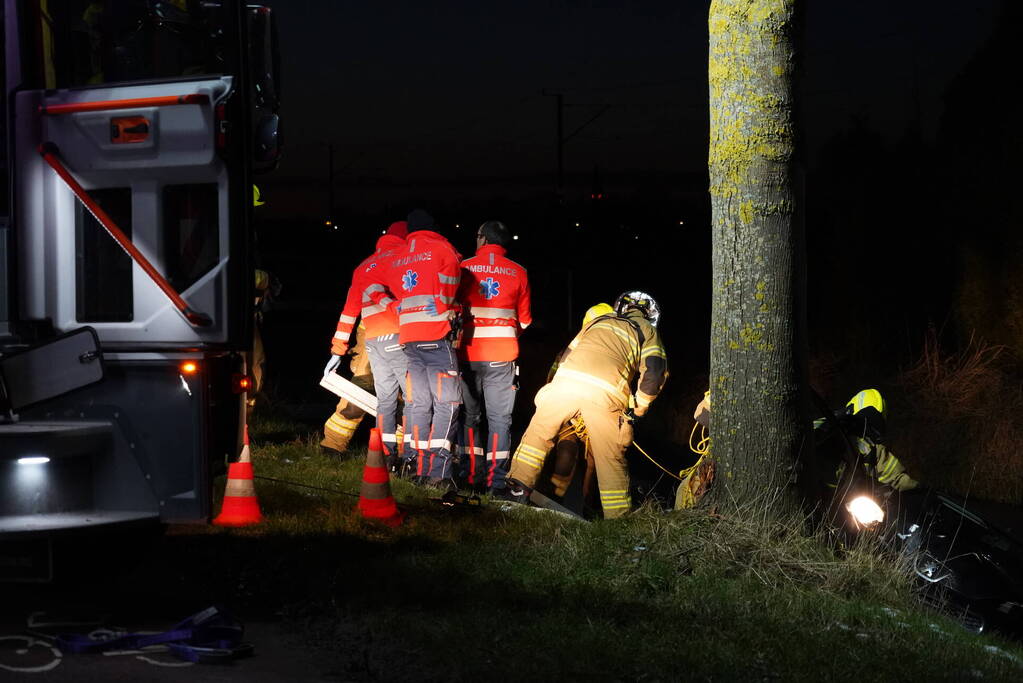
(758, 329)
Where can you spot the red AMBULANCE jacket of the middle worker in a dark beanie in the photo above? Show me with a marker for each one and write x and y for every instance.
(425, 275)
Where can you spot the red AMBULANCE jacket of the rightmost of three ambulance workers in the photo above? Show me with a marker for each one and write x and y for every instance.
(496, 291)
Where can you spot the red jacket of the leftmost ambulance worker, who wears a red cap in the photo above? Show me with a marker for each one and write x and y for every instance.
(368, 296)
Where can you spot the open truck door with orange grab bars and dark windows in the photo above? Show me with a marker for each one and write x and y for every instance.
(143, 106)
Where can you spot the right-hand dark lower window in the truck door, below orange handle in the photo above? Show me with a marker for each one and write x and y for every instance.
(192, 233)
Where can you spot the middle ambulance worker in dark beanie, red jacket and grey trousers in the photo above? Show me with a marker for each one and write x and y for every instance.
(425, 279)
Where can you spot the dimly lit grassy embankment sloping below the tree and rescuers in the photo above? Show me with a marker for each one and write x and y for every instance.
(460, 596)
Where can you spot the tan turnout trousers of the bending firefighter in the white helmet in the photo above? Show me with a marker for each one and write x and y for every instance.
(610, 434)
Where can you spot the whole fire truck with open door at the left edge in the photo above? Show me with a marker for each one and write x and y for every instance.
(132, 130)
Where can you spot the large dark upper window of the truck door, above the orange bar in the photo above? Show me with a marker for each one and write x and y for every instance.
(92, 42)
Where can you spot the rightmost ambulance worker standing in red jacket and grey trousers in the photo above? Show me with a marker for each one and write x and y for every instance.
(497, 293)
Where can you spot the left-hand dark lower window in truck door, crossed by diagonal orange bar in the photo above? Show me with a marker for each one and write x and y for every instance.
(104, 270)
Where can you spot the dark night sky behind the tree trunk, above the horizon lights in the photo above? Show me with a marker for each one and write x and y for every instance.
(443, 101)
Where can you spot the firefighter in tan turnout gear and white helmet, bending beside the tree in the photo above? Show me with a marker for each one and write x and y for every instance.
(595, 382)
